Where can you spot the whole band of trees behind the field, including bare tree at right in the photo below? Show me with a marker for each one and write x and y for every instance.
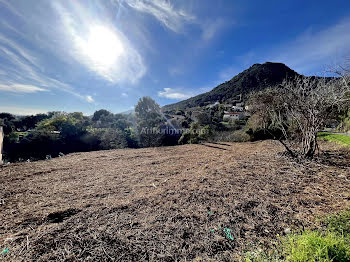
(293, 113)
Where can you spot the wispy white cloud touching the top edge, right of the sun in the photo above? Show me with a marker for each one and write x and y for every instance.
(163, 10)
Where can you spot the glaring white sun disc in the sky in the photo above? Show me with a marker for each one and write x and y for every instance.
(103, 46)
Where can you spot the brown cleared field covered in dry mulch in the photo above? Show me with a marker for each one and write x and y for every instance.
(193, 202)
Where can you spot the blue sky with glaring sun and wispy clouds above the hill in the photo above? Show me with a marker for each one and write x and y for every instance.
(71, 55)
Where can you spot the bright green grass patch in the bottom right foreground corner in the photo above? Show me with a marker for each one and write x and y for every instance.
(330, 243)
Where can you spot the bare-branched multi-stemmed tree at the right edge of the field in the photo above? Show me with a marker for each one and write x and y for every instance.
(299, 108)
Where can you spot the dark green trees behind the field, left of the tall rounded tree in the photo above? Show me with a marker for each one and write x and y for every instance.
(57, 132)
